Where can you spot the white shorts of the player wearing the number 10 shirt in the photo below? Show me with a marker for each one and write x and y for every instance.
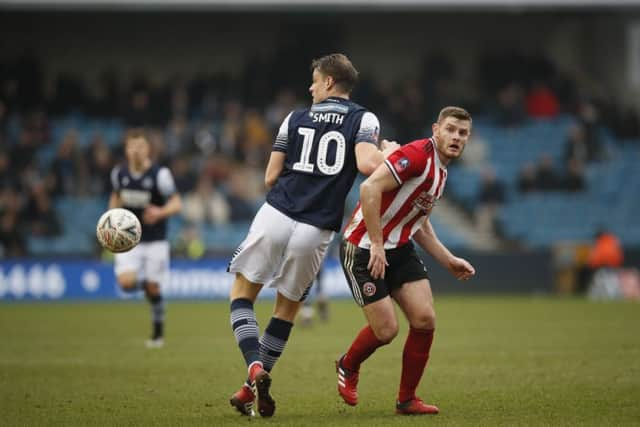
(281, 253)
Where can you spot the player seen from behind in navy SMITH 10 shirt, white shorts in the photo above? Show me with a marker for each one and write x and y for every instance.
(317, 153)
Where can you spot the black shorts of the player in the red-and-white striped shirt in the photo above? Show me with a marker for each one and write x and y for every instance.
(404, 266)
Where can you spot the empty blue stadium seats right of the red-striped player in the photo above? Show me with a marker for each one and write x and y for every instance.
(540, 219)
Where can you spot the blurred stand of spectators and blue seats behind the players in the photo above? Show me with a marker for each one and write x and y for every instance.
(552, 158)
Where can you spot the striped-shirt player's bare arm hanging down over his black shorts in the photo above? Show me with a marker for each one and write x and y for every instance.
(370, 198)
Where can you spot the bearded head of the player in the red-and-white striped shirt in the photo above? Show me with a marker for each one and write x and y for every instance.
(452, 131)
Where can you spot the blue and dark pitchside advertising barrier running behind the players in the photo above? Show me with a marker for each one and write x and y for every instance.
(53, 280)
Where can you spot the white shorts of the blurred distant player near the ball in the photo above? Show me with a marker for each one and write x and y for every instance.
(149, 259)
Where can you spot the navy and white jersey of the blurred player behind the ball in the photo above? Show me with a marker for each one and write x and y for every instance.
(137, 191)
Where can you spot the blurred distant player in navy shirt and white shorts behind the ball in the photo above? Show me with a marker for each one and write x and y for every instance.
(147, 190)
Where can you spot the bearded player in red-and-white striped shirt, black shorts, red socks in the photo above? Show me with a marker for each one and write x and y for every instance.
(380, 261)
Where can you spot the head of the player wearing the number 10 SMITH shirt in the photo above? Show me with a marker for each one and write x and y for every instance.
(333, 75)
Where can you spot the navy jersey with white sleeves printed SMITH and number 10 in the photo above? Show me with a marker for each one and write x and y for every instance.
(320, 164)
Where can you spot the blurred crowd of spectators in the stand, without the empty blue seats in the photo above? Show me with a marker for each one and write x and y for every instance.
(216, 131)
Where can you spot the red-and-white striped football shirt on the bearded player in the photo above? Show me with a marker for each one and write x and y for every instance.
(417, 168)
